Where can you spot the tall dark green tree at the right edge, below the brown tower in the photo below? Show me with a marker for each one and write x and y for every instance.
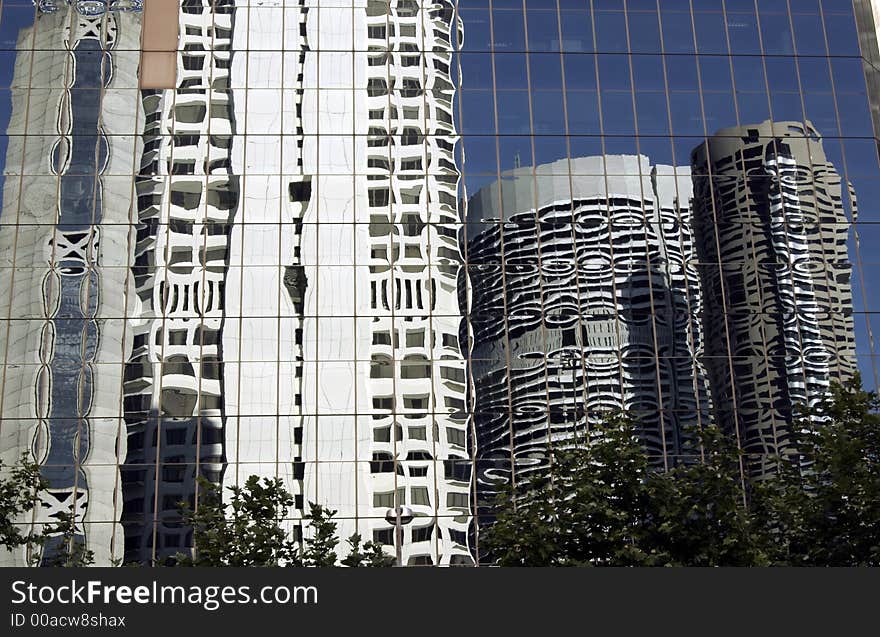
(823, 507)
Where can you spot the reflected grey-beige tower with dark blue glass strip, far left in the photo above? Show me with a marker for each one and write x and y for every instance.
(64, 239)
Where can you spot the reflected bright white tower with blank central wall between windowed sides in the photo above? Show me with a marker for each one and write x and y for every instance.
(249, 194)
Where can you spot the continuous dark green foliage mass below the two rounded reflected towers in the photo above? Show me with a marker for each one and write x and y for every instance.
(600, 504)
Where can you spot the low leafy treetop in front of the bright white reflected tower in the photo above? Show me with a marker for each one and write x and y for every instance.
(249, 530)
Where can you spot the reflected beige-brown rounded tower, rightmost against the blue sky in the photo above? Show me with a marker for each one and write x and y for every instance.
(772, 240)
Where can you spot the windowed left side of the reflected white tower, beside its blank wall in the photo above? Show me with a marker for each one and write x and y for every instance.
(187, 200)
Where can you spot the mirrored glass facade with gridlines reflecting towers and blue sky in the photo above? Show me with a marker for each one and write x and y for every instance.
(391, 251)
